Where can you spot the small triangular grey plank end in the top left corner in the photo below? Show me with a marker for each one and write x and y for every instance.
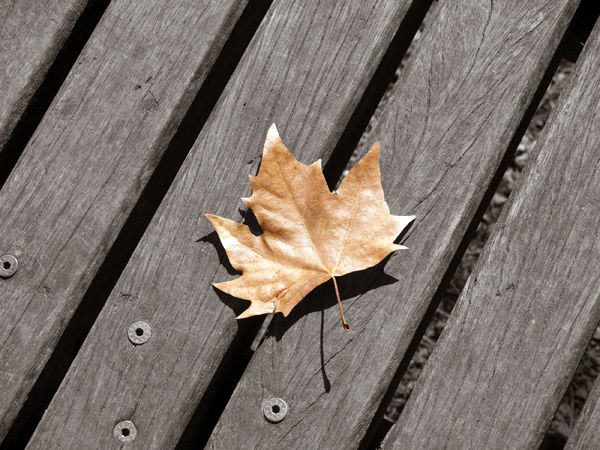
(31, 34)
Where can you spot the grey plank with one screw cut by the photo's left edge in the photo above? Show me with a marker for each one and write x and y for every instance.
(82, 171)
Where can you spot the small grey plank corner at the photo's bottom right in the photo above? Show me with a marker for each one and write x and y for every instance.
(586, 434)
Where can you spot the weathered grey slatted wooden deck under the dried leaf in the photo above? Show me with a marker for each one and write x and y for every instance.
(123, 122)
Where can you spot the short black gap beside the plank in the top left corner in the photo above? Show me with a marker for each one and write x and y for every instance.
(45, 93)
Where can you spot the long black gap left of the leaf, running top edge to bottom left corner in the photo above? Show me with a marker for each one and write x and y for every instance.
(128, 238)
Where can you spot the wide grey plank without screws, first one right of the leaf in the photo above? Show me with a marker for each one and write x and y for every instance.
(532, 303)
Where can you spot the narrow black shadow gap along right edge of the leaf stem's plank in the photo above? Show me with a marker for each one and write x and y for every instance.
(380, 426)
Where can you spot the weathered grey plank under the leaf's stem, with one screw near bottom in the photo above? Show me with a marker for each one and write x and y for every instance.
(443, 136)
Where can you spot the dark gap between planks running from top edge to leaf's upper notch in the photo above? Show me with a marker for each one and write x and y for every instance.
(374, 92)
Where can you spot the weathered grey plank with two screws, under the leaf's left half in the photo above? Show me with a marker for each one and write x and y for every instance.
(306, 69)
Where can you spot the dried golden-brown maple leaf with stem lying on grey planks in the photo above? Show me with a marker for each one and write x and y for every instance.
(310, 235)
